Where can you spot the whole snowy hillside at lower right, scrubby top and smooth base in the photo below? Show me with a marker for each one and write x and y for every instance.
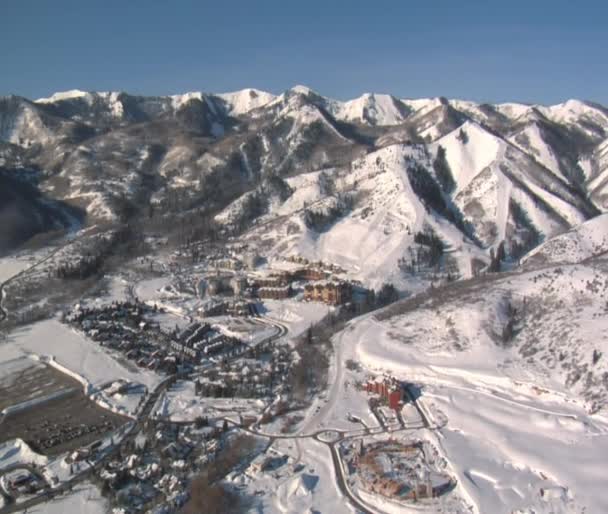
(511, 370)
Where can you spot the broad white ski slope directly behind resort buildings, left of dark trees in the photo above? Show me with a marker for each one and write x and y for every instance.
(369, 237)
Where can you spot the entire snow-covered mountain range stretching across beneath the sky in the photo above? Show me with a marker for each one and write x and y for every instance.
(375, 171)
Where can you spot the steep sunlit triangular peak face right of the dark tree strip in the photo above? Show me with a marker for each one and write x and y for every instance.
(490, 174)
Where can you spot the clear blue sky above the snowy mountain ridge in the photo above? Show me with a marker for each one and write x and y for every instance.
(533, 51)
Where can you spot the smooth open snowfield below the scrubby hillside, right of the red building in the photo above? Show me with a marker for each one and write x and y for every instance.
(515, 445)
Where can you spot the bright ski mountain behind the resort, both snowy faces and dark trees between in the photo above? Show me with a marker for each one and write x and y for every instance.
(365, 216)
